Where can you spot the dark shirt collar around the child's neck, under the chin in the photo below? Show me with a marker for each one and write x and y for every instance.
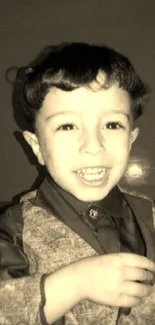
(112, 204)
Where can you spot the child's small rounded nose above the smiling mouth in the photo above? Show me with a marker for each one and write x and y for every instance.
(92, 144)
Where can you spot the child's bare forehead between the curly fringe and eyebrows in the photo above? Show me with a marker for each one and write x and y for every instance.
(83, 100)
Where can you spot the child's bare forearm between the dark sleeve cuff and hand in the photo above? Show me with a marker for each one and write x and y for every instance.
(63, 290)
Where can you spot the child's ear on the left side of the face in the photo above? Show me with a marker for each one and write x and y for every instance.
(32, 140)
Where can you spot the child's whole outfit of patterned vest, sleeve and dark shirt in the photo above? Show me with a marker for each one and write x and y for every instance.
(49, 229)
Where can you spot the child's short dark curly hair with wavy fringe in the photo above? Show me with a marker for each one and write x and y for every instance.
(71, 65)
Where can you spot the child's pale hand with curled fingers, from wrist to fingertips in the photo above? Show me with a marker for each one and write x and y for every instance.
(110, 279)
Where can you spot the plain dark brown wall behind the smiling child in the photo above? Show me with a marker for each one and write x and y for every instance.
(27, 26)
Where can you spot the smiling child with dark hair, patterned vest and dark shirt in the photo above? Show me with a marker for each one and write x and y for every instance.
(79, 250)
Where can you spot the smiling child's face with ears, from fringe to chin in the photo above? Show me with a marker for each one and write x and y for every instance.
(81, 132)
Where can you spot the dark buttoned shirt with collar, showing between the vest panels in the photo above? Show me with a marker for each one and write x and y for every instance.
(111, 221)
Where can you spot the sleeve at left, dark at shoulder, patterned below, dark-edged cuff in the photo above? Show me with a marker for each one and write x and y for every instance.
(22, 295)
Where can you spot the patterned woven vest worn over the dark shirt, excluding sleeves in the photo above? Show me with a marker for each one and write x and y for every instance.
(49, 244)
